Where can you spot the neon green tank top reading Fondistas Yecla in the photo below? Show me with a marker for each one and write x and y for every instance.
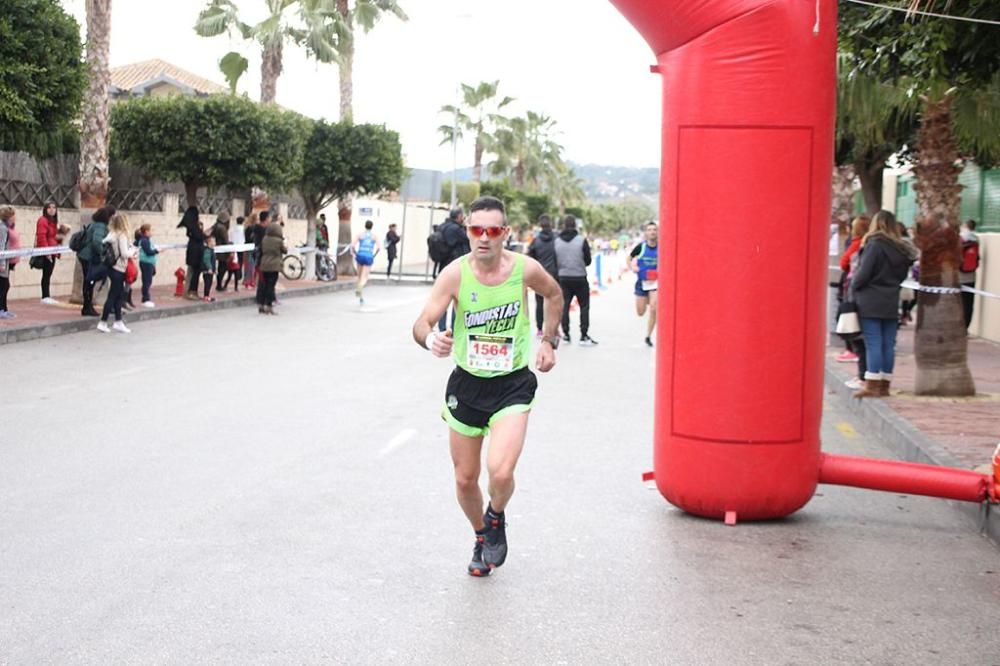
(492, 331)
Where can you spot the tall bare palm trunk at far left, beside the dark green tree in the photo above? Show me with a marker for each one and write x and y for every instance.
(94, 122)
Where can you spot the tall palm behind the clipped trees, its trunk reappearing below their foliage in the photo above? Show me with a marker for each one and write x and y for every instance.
(364, 13)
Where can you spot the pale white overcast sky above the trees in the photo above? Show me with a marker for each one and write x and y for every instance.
(577, 61)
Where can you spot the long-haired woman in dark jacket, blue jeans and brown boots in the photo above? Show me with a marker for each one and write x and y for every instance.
(883, 265)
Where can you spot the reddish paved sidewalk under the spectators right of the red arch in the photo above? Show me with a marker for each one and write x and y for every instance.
(953, 432)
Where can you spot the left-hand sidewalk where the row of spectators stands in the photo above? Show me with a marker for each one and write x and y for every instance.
(35, 320)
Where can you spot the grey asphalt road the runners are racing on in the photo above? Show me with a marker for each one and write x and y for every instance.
(234, 488)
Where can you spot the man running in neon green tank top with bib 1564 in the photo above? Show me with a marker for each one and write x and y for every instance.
(491, 389)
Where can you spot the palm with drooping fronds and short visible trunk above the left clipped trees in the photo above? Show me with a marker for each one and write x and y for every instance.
(314, 29)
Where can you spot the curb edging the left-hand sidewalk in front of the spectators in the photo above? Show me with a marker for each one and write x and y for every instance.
(78, 325)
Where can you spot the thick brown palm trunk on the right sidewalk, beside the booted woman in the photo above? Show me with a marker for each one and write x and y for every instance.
(940, 345)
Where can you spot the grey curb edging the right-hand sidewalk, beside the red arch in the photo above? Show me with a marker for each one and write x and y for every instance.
(910, 445)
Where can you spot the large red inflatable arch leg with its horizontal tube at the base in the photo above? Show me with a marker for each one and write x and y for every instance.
(748, 119)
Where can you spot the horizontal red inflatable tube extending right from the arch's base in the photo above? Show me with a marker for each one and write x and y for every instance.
(901, 477)
